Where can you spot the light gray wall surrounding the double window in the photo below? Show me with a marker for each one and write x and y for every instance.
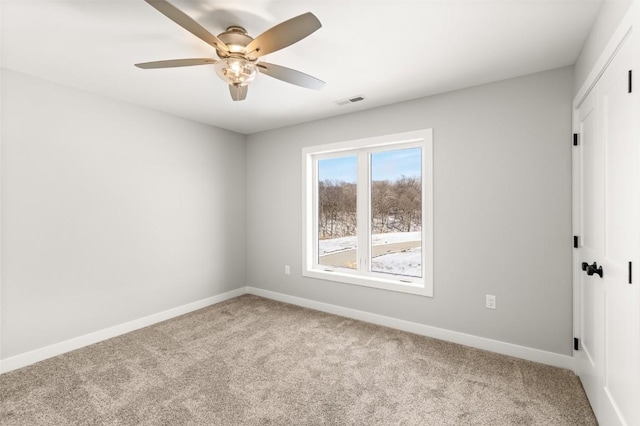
(502, 181)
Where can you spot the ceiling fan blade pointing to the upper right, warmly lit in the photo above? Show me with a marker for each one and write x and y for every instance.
(283, 35)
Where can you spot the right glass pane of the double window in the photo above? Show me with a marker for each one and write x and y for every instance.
(396, 212)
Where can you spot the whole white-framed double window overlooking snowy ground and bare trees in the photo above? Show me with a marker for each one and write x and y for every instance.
(368, 212)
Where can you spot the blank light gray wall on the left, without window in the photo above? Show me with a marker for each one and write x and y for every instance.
(110, 212)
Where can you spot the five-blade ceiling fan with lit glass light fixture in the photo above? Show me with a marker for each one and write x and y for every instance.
(238, 53)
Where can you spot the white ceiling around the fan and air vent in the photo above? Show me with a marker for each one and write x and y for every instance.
(385, 50)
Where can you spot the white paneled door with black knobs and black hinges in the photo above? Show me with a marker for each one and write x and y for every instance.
(608, 160)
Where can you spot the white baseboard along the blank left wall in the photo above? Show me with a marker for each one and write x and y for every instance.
(36, 355)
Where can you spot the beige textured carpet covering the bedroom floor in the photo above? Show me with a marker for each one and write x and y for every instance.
(252, 361)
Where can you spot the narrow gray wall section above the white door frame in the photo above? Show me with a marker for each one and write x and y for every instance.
(610, 15)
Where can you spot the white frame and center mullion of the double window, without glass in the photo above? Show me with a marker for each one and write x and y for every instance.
(310, 268)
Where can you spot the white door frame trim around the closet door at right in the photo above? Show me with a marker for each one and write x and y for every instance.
(631, 19)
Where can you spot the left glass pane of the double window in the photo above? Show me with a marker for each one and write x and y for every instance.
(337, 240)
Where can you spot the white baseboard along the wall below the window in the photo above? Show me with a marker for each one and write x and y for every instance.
(523, 352)
